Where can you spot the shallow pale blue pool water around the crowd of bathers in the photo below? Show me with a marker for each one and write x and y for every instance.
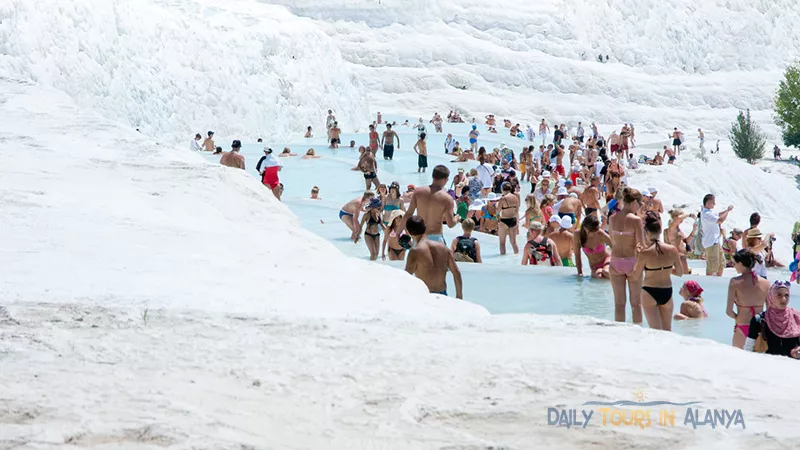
(501, 284)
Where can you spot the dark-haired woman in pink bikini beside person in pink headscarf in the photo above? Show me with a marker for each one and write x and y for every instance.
(748, 292)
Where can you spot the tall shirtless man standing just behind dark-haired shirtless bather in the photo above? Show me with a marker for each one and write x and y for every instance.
(435, 205)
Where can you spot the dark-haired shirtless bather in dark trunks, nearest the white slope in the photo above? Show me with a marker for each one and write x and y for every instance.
(430, 260)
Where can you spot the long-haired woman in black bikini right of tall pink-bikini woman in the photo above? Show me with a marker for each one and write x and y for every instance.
(658, 261)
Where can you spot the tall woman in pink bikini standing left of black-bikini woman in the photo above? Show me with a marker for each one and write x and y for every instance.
(626, 231)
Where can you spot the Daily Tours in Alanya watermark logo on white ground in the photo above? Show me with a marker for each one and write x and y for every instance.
(643, 413)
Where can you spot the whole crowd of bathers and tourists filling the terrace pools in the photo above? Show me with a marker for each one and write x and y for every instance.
(580, 202)
